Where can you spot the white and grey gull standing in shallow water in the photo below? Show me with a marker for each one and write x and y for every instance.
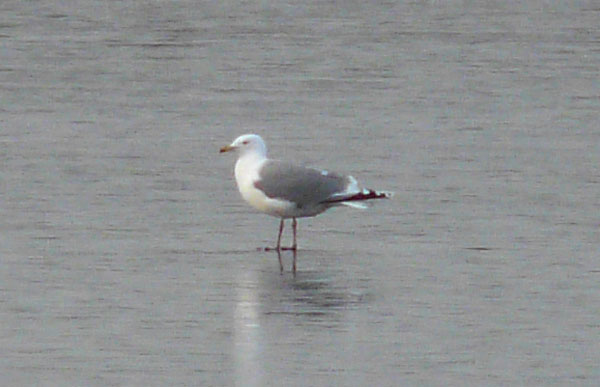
(286, 190)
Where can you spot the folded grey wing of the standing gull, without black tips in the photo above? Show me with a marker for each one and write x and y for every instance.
(303, 186)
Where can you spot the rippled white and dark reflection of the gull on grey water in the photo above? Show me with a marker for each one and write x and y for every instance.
(267, 305)
